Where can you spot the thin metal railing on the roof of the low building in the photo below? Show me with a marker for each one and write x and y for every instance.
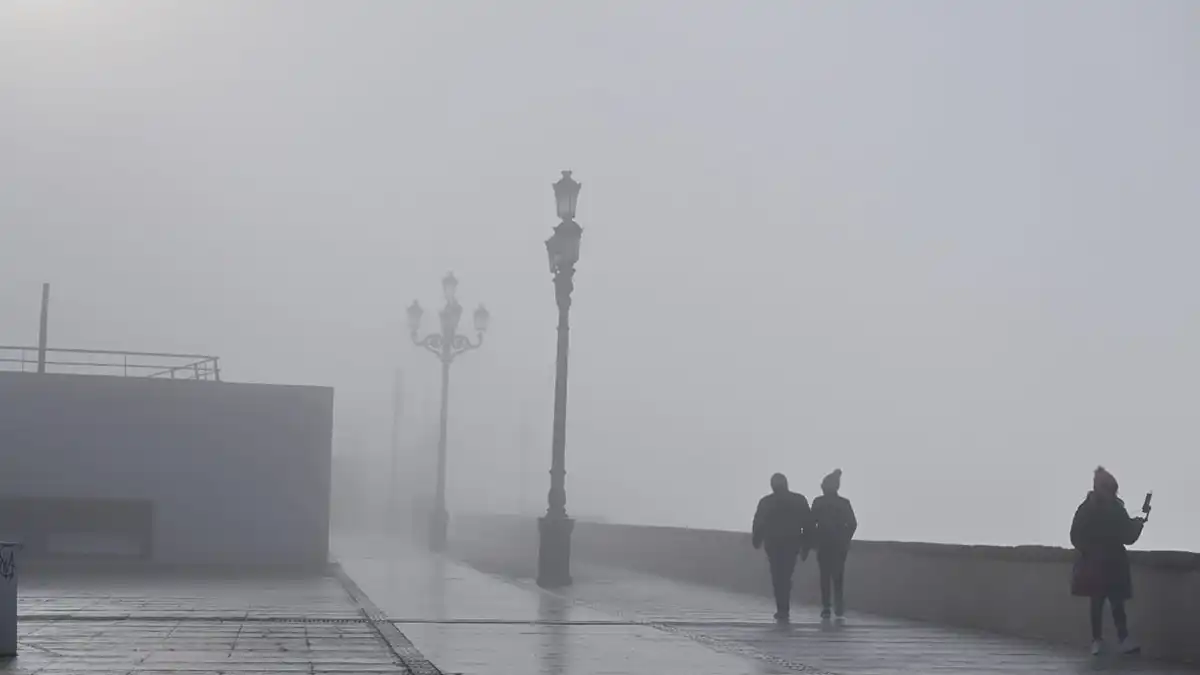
(104, 362)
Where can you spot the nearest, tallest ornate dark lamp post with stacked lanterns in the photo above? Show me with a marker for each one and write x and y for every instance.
(555, 529)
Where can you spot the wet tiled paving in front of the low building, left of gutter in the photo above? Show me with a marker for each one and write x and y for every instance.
(110, 625)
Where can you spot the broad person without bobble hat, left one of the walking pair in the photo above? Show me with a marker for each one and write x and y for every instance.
(782, 527)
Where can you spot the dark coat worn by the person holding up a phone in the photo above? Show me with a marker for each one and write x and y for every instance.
(1101, 531)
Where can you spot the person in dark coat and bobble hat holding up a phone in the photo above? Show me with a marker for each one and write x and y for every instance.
(1100, 533)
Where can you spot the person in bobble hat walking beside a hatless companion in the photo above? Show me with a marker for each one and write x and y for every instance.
(836, 525)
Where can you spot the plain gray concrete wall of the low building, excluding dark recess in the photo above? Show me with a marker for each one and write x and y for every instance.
(238, 474)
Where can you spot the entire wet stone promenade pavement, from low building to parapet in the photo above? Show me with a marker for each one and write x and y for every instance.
(398, 611)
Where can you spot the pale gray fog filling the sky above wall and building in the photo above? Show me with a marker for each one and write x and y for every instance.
(949, 248)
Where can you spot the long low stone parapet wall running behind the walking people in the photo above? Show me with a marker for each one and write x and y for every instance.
(1021, 592)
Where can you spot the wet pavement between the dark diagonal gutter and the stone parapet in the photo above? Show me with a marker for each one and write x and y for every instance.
(620, 623)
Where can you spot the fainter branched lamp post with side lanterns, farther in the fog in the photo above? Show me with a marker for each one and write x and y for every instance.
(447, 345)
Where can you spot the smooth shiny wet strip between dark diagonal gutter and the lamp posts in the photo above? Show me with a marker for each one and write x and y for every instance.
(466, 622)
